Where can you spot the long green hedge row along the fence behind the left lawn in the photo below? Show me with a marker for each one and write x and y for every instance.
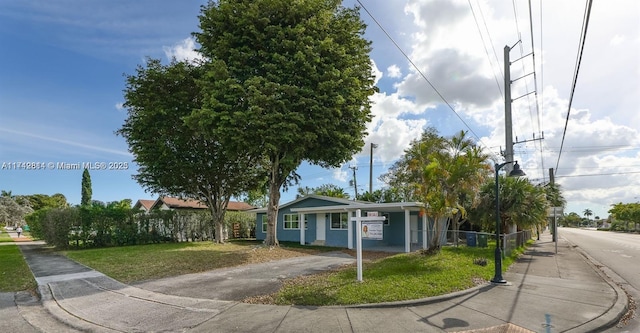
(98, 226)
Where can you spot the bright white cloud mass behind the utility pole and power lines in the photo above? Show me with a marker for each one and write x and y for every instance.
(602, 134)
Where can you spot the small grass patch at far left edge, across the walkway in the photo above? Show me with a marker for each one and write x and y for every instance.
(15, 275)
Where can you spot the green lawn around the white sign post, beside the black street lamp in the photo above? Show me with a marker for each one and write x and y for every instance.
(396, 278)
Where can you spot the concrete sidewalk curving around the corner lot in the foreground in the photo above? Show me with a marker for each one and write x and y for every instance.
(547, 292)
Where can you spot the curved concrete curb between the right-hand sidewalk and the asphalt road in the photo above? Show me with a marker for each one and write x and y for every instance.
(615, 312)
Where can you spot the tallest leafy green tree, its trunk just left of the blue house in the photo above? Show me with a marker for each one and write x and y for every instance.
(286, 81)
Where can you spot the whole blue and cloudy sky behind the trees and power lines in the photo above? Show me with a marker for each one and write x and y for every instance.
(438, 63)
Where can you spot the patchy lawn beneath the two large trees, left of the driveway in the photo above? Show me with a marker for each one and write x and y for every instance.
(144, 262)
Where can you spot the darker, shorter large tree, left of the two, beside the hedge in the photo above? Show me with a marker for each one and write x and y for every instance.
(173, 157)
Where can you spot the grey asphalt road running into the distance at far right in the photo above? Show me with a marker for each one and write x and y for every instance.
(620, 253)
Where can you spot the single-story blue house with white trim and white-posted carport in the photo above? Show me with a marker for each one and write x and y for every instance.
(328, 221)
